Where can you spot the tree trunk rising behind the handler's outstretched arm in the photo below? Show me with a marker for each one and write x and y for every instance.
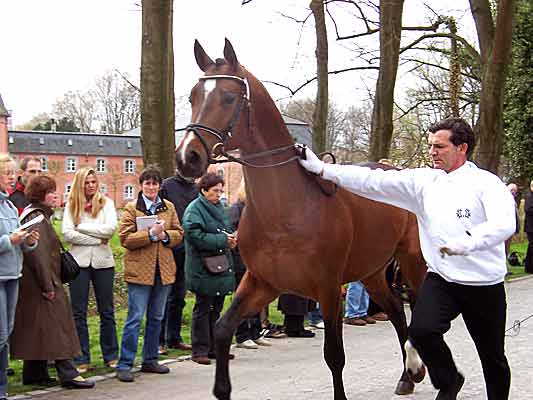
(390, 18)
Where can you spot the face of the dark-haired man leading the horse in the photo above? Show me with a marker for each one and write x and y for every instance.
(444, 154)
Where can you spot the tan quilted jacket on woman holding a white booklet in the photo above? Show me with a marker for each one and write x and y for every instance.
(142, 255)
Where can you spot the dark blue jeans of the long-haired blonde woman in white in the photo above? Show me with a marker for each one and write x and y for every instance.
(102, 280)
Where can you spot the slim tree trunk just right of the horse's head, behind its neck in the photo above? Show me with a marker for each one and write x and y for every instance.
(320, 115)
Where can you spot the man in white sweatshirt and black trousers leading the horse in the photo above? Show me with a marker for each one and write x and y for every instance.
(464, 214)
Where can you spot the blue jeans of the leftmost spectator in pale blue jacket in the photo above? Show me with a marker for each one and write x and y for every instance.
(8, 304)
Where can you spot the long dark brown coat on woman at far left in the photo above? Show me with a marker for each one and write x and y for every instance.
(44, 329)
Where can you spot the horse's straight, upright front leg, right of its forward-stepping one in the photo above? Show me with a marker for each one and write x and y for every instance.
(331, 306)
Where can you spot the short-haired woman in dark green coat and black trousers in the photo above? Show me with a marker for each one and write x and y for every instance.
(207, 233)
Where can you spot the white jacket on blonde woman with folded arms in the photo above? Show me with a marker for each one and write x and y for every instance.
(86, 238)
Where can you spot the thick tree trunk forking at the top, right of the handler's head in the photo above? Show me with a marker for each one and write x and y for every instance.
(495, 45)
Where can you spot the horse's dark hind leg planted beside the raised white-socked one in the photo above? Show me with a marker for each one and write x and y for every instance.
(380, 292)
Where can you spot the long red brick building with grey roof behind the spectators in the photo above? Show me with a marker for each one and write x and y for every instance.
(116, 158)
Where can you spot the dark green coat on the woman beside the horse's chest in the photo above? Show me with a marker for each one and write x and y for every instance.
(203, 222)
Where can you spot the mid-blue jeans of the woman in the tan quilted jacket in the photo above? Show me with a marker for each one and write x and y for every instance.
(141, 299)
